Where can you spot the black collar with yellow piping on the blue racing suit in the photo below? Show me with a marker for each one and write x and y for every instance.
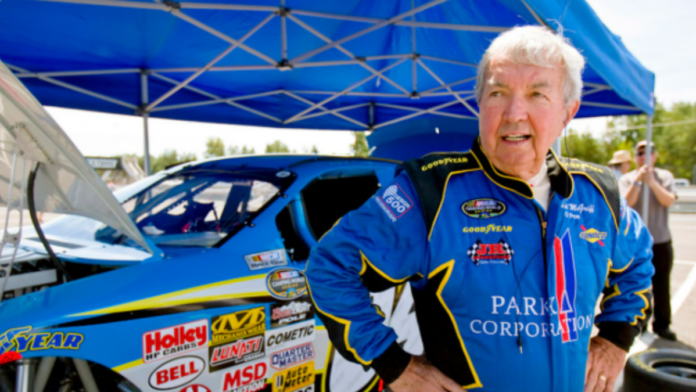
(561, 180)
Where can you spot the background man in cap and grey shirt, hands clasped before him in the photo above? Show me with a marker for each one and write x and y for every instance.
(661, 196)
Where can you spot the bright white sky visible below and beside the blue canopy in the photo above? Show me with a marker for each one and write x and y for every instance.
(660, 35)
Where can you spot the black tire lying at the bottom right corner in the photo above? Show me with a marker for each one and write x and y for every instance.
(664, 370)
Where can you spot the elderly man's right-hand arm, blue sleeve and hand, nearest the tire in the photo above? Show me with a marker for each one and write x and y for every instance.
(625, 304)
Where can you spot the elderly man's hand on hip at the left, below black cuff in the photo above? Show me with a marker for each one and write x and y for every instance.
(420, 375)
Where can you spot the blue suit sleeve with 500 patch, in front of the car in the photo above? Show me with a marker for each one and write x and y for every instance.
(378, 246)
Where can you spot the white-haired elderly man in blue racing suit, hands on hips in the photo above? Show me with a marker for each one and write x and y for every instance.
(506, 248)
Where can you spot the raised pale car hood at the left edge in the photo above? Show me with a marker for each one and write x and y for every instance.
(65, 183)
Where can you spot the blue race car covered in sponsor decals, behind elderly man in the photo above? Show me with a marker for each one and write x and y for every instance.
(222, 305)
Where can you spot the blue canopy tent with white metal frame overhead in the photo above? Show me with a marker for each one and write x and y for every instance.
(404, 69)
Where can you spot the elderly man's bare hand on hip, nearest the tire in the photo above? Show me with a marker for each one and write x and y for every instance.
(604, 363)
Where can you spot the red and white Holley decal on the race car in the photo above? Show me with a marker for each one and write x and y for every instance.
(167, 342)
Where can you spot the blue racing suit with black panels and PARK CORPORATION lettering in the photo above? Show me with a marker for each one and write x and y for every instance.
(505, 292)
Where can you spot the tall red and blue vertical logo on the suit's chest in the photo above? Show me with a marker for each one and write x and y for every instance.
(566, 286)
